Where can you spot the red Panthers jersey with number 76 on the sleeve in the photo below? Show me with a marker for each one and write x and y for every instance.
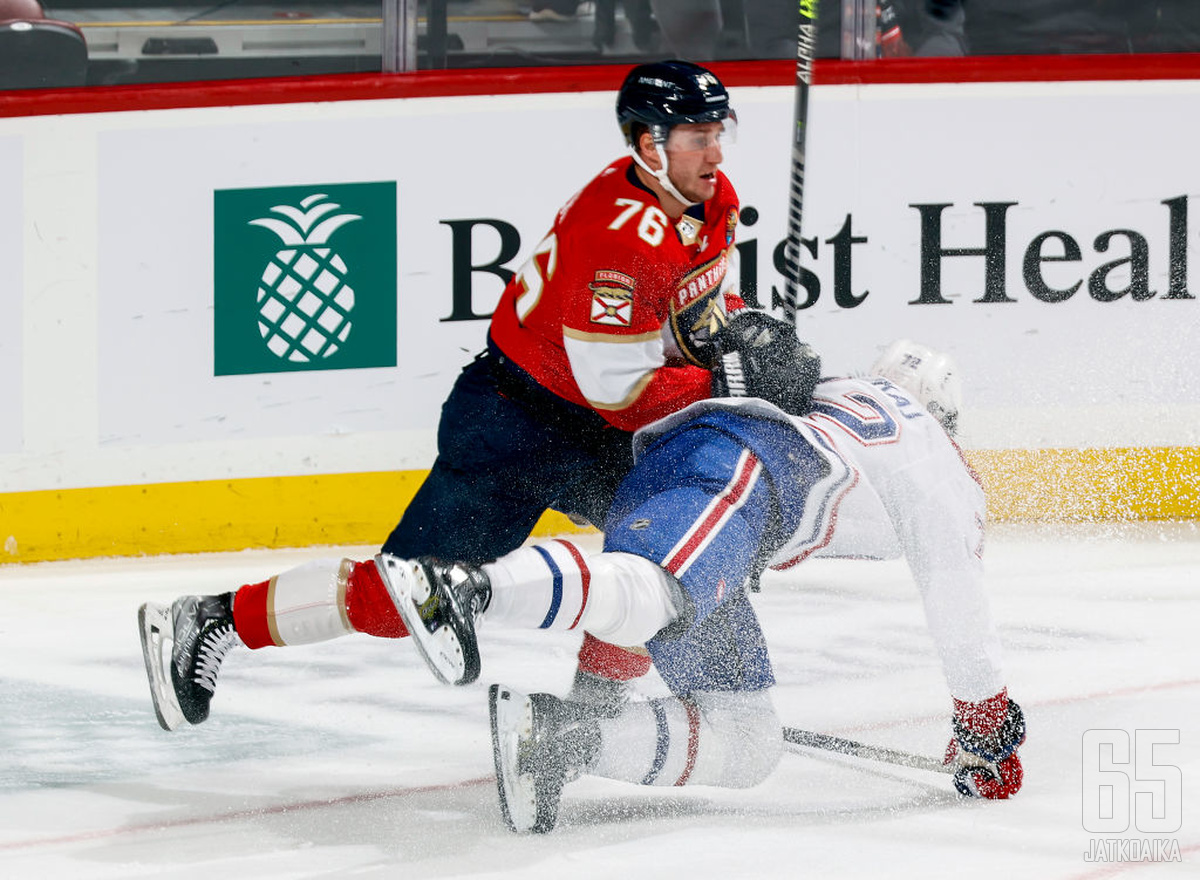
(591, 314)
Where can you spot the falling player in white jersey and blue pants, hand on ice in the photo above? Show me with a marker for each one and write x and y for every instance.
(722, 490)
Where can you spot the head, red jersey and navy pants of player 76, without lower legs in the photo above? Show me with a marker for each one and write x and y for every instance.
(604, 330)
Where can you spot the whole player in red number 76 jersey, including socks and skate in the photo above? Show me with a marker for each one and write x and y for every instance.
(607, 328)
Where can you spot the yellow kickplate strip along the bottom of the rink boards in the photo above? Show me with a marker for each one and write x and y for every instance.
(362, 508)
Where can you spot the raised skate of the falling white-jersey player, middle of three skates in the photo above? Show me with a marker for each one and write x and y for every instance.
(440, 602)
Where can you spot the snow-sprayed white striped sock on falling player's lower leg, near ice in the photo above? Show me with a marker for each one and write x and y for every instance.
(728, 739)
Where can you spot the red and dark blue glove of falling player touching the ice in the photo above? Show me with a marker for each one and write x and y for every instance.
(987, 735)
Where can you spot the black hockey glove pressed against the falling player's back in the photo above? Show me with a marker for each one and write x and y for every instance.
(761, 357)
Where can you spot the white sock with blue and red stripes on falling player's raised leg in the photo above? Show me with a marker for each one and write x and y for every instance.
(620, 598)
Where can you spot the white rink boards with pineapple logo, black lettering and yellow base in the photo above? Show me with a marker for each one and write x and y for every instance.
(1040, 232)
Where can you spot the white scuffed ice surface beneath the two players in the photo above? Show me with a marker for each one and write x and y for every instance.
(349, 761)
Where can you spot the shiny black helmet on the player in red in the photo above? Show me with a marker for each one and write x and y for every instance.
(664, 94)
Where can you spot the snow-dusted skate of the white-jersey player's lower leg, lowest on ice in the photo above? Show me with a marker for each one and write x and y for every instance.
(539, 744)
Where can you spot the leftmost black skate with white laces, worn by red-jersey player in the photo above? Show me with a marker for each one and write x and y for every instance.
(190, 639)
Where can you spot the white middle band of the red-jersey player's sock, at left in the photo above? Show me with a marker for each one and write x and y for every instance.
(308, 604)
